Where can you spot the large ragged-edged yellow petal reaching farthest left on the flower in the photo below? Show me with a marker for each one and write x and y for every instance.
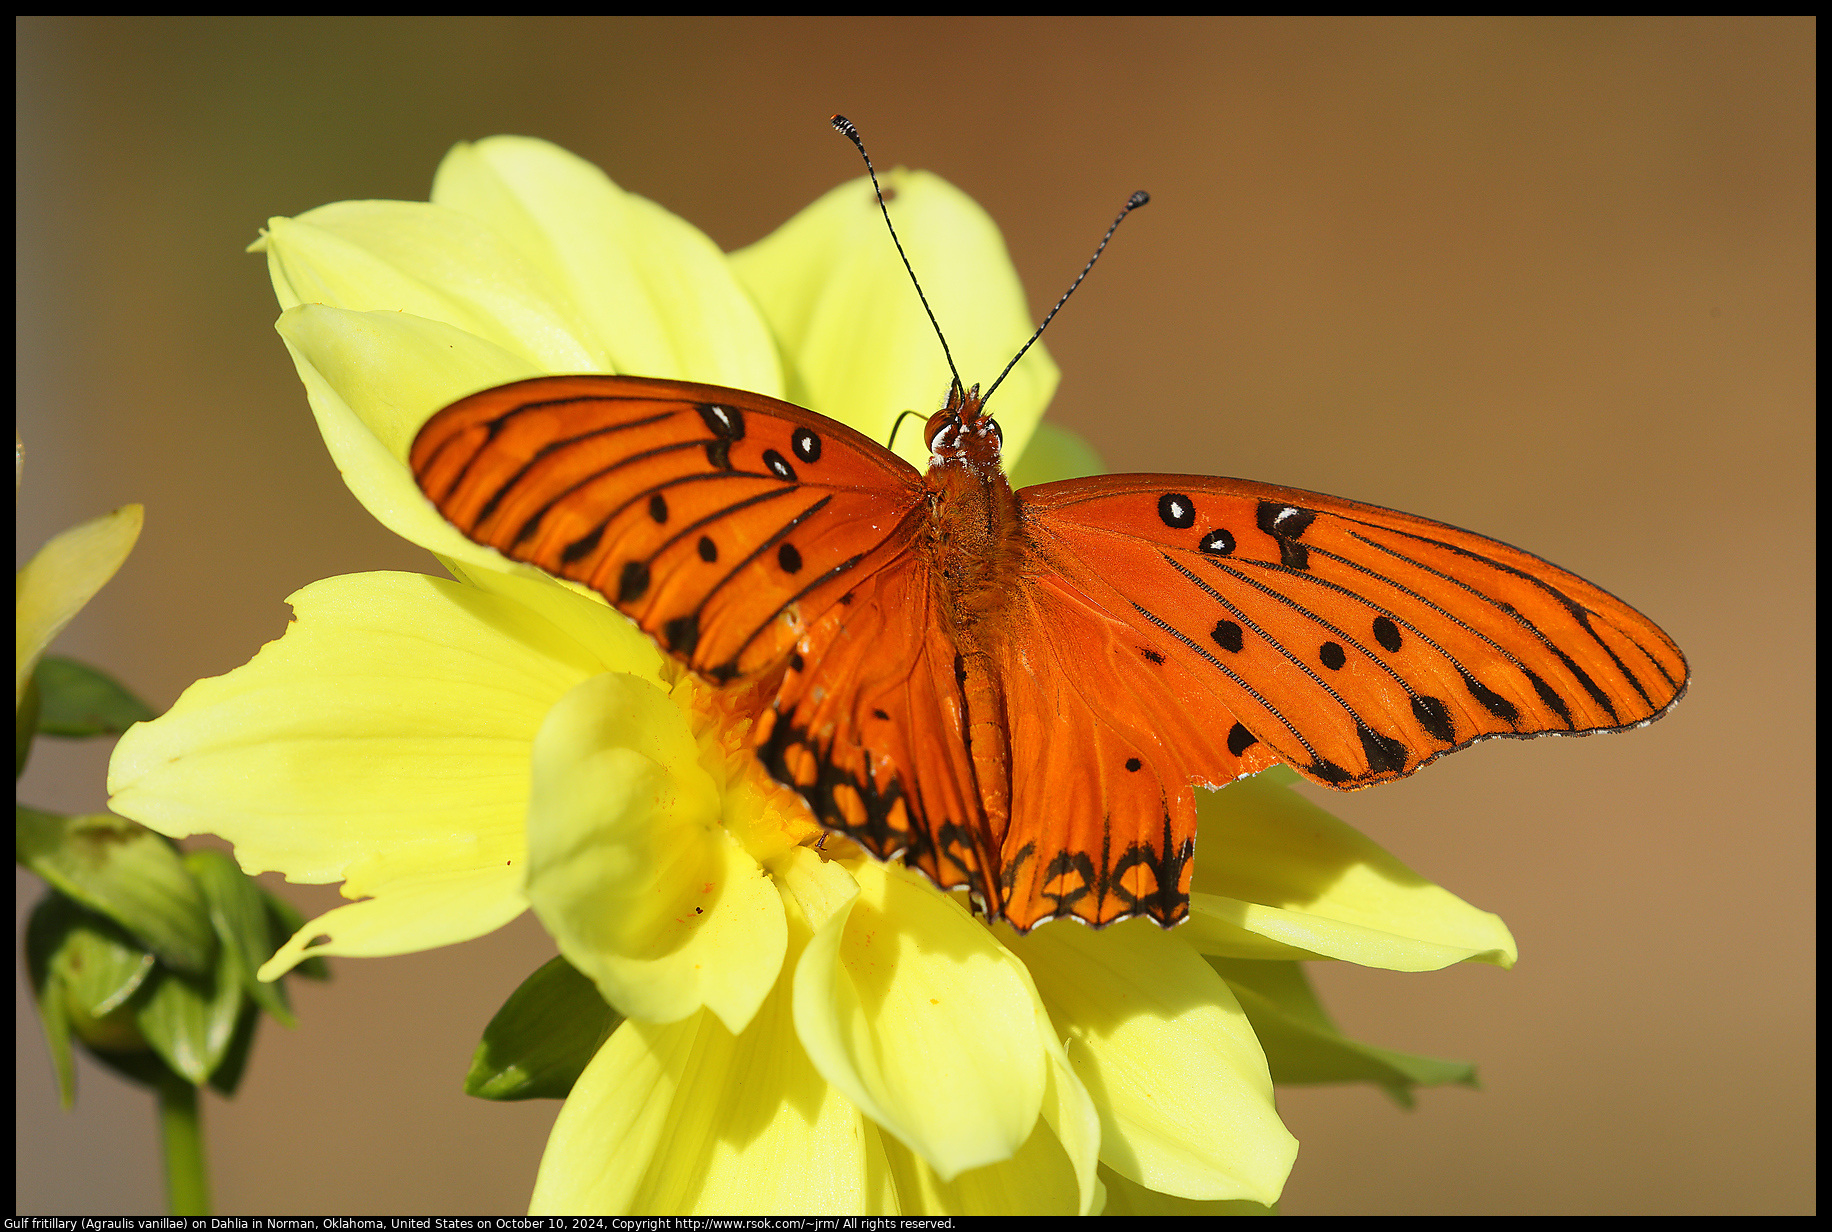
(384, 740)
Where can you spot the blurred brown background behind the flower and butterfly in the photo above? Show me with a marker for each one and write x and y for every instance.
(1547, 280)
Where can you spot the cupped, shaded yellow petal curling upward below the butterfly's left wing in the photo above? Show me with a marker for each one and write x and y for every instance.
(631, 870)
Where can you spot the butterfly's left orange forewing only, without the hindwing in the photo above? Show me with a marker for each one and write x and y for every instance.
(721, 522)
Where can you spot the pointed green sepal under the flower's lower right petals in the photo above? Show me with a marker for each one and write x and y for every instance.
(1305, 1048)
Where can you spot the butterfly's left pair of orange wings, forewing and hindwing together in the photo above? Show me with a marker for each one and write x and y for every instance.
(747, 536)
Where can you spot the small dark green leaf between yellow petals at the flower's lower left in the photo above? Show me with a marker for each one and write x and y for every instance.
(541, 1039)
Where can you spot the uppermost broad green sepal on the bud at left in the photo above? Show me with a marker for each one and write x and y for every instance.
(127, 874)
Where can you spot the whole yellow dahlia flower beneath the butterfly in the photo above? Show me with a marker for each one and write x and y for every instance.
(807, 1029)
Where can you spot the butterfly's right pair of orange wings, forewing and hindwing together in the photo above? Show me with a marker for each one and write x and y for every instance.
(1177, 630)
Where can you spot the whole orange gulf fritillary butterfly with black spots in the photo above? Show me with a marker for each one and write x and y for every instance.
(1016, 690)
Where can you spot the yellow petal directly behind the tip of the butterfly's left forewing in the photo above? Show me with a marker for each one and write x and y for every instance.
(375, 379)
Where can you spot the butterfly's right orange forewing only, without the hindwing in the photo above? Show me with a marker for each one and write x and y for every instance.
(1353, 641)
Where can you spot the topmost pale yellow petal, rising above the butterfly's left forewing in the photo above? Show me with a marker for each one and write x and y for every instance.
(657, 294)
